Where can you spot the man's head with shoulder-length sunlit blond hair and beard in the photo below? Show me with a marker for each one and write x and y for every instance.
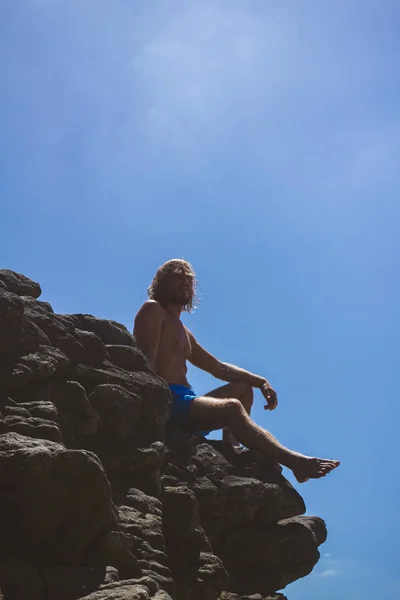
(174, 283)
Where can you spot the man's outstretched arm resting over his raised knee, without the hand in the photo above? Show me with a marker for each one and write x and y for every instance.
(221, 370)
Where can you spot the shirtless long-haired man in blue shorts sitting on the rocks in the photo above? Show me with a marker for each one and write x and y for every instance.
(168, 344)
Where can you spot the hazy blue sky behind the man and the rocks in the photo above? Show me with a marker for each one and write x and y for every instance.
(261, 141)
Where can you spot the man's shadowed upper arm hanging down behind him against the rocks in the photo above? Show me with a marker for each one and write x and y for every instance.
(147, 329)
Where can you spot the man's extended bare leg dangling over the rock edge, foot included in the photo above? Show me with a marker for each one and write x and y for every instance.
(207, 414)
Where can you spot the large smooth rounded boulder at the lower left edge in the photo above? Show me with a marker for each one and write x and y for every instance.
(55, 503)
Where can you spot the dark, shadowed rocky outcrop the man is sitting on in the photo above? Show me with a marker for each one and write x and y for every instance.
(101, 499)
